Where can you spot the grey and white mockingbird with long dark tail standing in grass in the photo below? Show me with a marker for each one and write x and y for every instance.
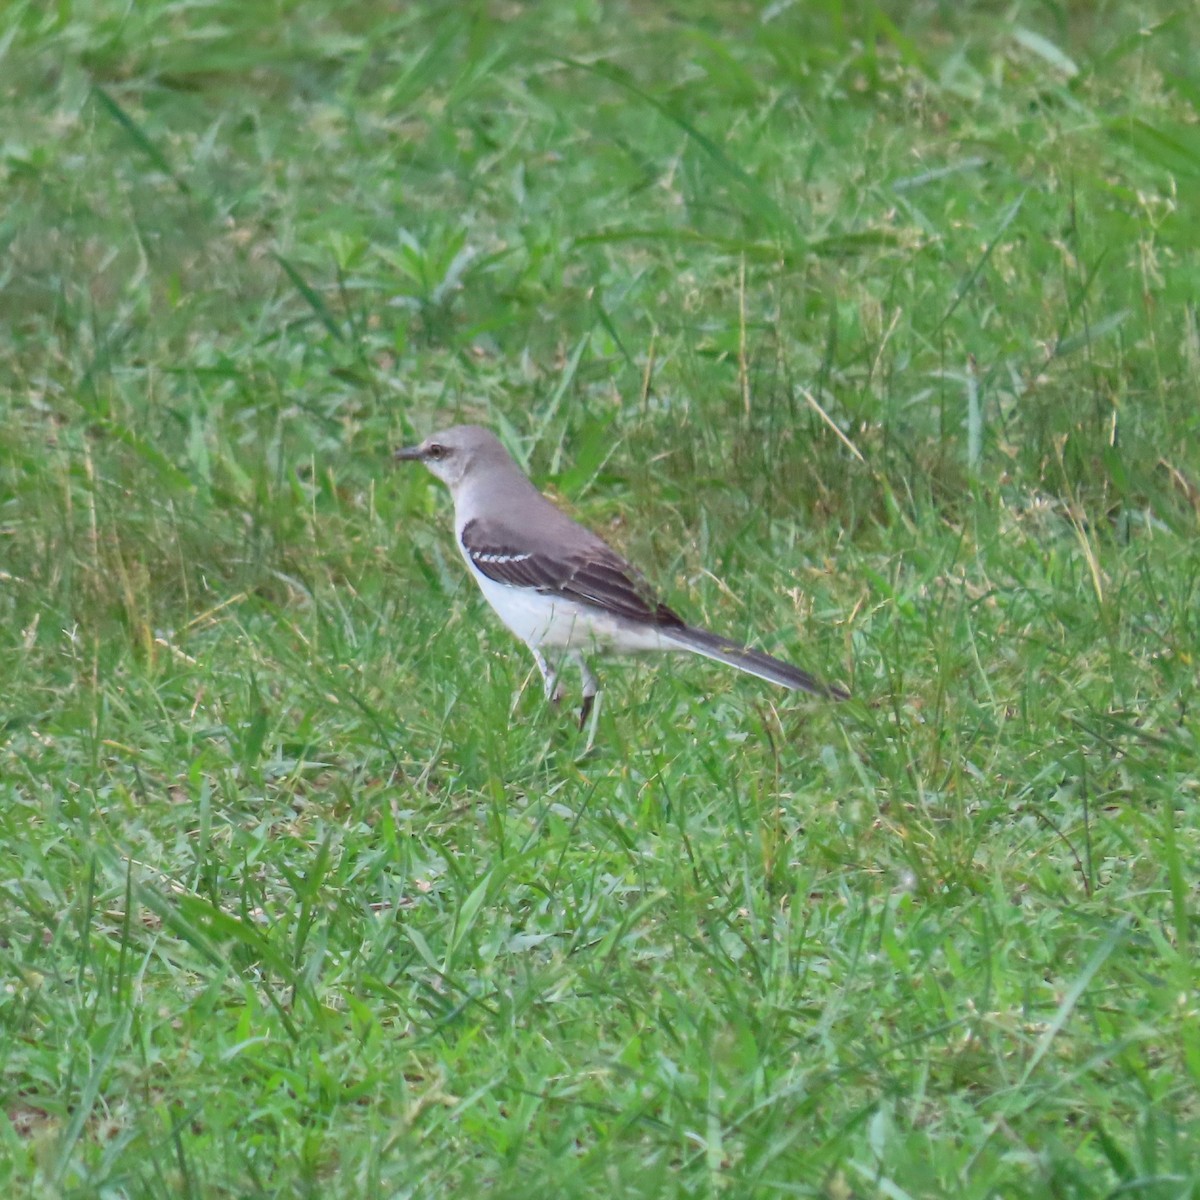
(556, 585)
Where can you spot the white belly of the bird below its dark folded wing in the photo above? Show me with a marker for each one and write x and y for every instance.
(555, 623)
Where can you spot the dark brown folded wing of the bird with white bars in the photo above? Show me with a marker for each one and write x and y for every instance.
(592, 574)
